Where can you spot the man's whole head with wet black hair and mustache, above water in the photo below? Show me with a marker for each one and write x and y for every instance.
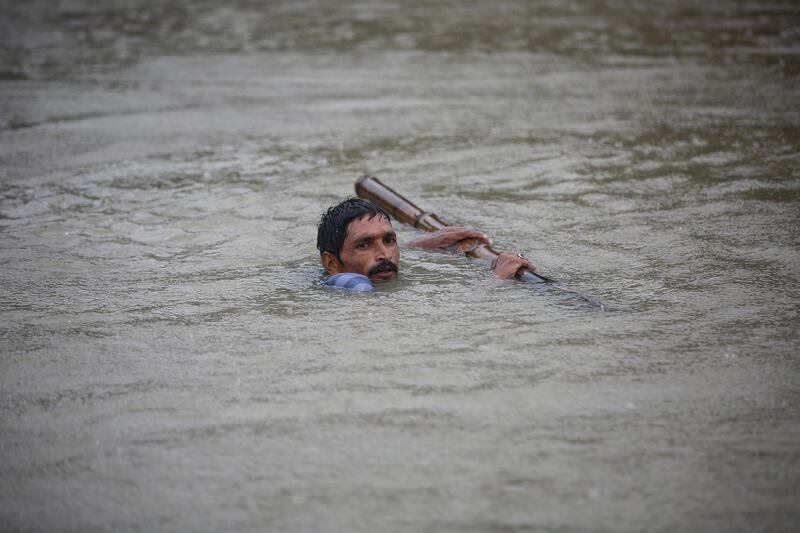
(357, 236)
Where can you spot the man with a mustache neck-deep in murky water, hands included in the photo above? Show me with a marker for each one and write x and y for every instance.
(358, 246)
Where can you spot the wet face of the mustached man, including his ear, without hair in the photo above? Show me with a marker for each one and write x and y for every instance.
(370, 248)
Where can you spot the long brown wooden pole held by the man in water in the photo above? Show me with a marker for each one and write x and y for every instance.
(371, 188)
